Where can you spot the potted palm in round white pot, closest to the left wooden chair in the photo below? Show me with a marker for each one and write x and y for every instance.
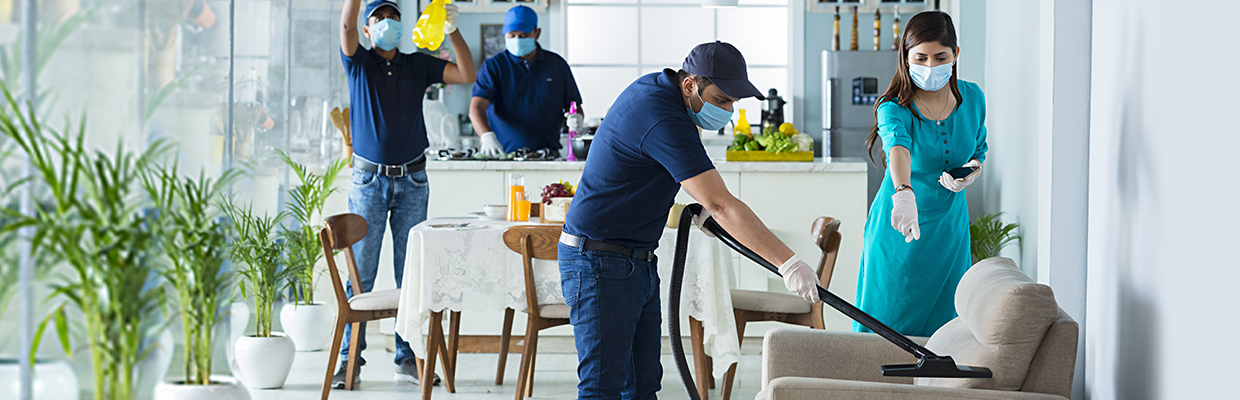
(307, 321)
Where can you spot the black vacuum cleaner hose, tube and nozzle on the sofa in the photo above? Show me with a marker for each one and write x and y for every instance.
(929, 365)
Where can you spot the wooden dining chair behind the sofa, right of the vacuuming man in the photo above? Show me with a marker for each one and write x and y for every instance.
(758, 307)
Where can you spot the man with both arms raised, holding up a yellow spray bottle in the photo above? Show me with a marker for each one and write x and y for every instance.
(390, 138)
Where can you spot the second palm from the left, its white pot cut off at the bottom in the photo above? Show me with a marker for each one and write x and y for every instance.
(195, 241)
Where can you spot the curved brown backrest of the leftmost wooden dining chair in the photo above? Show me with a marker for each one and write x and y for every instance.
(342, 232)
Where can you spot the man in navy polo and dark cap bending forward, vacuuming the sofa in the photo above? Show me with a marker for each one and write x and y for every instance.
(644, 153)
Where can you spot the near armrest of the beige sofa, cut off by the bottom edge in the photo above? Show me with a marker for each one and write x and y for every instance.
(814, 389)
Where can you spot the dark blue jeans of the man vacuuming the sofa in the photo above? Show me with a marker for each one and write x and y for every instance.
(617, 323)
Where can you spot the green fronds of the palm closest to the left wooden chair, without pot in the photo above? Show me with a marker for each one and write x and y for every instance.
(306, 205)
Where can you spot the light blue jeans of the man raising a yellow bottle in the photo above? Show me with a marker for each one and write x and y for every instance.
(383, 200)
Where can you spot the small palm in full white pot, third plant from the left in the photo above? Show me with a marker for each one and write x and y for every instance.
(265, 359)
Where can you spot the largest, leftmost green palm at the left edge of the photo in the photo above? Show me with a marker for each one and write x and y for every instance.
(94, 225)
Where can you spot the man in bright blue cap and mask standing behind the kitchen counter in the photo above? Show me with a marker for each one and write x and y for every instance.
(523, 93)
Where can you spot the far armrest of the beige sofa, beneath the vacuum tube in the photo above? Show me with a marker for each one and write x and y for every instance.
(834, 355)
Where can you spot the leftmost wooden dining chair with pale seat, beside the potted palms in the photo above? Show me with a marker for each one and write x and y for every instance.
(340, 233)
